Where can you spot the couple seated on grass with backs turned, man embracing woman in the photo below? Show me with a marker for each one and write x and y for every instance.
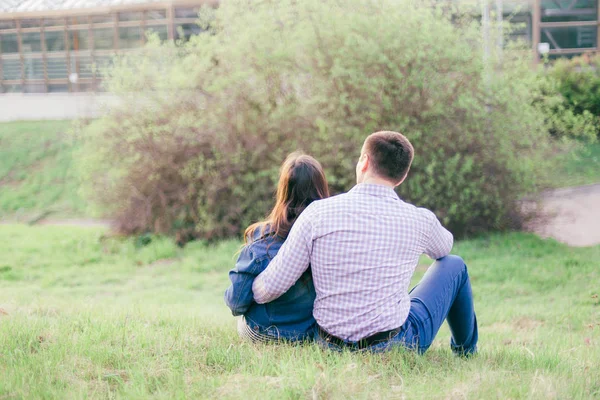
(337, 270)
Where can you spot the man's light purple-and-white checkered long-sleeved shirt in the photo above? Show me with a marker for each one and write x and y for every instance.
(363, 247)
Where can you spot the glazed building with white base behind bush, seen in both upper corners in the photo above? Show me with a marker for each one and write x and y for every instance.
(52, 51)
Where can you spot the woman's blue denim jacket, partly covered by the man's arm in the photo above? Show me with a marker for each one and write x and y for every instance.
(288, 317)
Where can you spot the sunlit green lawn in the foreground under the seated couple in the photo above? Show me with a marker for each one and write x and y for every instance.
(94, 317)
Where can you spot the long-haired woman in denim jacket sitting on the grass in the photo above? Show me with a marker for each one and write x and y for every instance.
(301, 181)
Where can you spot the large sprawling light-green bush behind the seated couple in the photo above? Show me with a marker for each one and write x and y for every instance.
(195, 147)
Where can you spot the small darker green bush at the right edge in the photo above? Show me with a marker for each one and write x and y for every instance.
(572, 98)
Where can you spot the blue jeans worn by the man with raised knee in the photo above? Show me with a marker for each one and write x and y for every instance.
(444, 293)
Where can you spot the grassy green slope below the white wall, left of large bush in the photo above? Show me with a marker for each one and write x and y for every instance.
(36, 173)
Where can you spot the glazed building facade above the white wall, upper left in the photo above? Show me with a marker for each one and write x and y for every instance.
(53, 46)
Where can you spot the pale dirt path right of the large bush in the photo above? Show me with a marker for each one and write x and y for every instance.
(572, 216)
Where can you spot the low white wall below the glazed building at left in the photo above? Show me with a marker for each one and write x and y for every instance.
(19, 106)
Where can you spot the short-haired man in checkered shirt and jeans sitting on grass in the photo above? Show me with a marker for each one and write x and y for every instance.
(363, 247)
